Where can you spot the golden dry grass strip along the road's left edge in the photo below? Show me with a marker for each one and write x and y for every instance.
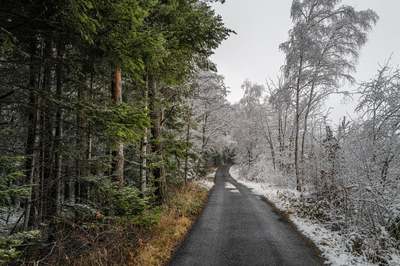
(176, 220)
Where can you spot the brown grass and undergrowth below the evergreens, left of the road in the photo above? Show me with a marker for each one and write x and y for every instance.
(123, 242)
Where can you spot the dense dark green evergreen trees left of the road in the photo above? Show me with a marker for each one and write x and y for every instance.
(102, 113)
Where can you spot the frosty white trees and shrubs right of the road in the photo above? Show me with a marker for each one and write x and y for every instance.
(344, 176)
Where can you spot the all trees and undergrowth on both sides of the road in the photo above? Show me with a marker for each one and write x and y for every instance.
(111, 111)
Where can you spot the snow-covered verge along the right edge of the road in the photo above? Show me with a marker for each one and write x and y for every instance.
(331, 244)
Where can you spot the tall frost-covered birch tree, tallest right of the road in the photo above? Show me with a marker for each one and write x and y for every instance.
(322, 50)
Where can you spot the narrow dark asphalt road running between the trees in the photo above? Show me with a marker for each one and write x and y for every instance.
(238, 228)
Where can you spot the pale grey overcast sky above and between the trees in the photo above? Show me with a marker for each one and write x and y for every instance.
(261, 25)
